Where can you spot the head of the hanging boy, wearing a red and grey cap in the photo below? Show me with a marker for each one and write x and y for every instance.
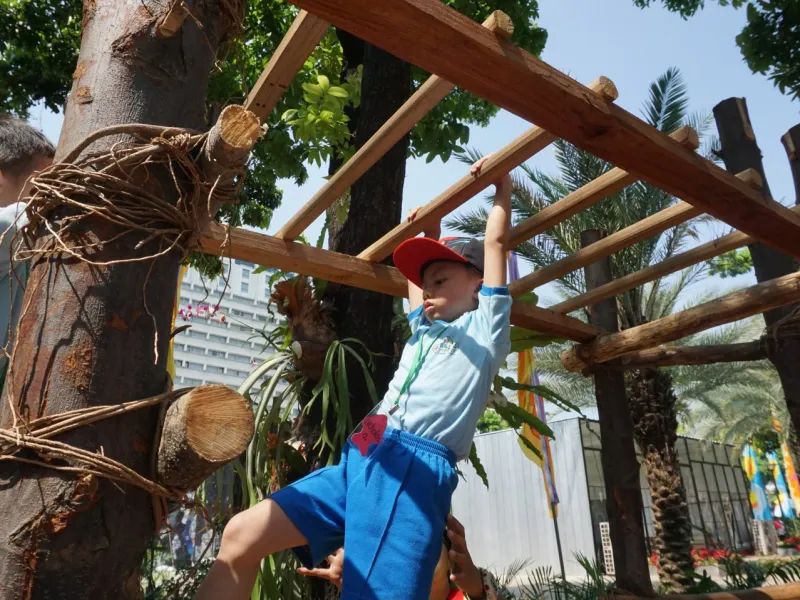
(449, 272)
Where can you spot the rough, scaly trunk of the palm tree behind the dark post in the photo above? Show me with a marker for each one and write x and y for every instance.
(655, 424)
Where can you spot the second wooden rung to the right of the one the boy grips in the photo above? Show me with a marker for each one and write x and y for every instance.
(642, 230)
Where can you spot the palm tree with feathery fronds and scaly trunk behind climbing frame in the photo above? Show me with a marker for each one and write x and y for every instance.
(651, 393)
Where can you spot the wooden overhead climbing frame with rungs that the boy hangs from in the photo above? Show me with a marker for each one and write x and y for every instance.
(480, 58)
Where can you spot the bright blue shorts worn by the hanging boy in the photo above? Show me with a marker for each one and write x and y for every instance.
(387, 509)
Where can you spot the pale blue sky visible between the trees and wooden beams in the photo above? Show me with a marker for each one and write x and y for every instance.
(588, 38)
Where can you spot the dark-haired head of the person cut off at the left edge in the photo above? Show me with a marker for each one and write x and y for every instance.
(23, 150)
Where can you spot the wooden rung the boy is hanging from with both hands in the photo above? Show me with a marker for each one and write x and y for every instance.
(521, 149)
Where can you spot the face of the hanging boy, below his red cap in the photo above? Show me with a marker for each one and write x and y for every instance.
(449, 289)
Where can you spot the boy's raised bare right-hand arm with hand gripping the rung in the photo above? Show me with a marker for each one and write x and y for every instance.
(497, 227)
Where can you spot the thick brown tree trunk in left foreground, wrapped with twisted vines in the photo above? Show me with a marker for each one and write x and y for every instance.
(86, 338)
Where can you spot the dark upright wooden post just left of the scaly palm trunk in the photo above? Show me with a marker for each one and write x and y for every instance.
(618, 453)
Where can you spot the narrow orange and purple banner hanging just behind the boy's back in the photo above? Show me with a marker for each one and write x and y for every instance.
(534, 404)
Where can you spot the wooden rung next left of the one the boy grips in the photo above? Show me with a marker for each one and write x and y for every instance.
(407, 116)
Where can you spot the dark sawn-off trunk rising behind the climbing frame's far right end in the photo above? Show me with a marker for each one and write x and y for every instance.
(782, 338)
